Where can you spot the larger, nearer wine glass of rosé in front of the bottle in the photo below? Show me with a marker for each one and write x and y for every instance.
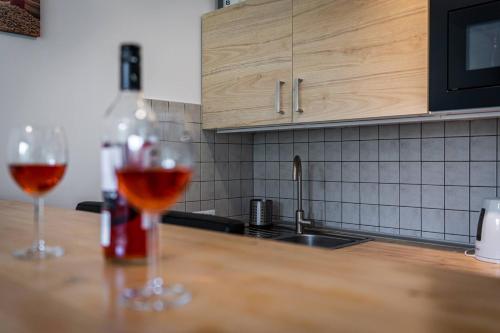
(152, 176)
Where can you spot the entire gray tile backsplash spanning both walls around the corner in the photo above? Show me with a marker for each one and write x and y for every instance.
(420, 180)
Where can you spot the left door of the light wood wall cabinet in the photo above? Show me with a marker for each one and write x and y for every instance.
(246, 49)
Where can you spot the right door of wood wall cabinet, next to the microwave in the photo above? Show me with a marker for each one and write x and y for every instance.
(360, 58)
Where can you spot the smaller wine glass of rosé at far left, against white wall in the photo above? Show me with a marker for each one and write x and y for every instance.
(37, 158)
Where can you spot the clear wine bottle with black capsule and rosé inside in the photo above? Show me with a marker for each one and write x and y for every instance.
(123, 237)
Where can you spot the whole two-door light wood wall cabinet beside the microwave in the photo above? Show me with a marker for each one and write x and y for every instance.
(356, 59)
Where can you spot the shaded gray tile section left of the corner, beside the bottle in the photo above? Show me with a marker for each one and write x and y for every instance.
(223, 171)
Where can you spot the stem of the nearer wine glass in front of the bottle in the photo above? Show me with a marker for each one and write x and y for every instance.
(154, 276)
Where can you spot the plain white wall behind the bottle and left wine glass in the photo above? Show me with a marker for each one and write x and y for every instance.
(70, 75)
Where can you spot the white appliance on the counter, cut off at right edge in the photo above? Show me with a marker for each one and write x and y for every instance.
(488, 232)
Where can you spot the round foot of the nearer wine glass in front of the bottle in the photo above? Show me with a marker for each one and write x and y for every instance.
(159, 299)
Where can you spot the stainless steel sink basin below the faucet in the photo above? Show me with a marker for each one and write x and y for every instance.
(331, 242)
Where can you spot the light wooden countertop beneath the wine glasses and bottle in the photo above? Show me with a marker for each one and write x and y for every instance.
(241, 284)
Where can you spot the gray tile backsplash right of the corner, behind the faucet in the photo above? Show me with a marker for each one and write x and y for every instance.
(420, 180)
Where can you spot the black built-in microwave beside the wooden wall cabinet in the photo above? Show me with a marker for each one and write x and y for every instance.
(464, 55)
